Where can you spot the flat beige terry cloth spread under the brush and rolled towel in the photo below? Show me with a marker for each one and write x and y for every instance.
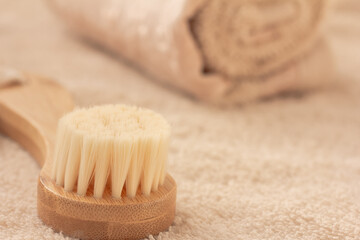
(284, 168)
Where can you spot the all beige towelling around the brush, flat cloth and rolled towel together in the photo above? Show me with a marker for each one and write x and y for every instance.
(263, 97)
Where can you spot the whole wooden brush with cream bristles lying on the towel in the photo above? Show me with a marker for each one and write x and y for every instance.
(105, 177)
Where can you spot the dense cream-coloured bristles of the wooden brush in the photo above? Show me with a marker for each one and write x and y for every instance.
(122, 145)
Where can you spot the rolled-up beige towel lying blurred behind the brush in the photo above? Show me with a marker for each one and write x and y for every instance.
(223, 51)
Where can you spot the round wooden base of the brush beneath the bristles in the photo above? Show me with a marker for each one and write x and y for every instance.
(106, 218)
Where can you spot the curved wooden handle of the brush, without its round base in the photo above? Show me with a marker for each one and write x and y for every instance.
(29, 113)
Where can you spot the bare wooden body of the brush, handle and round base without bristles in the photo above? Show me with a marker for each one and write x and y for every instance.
(29, 114)
